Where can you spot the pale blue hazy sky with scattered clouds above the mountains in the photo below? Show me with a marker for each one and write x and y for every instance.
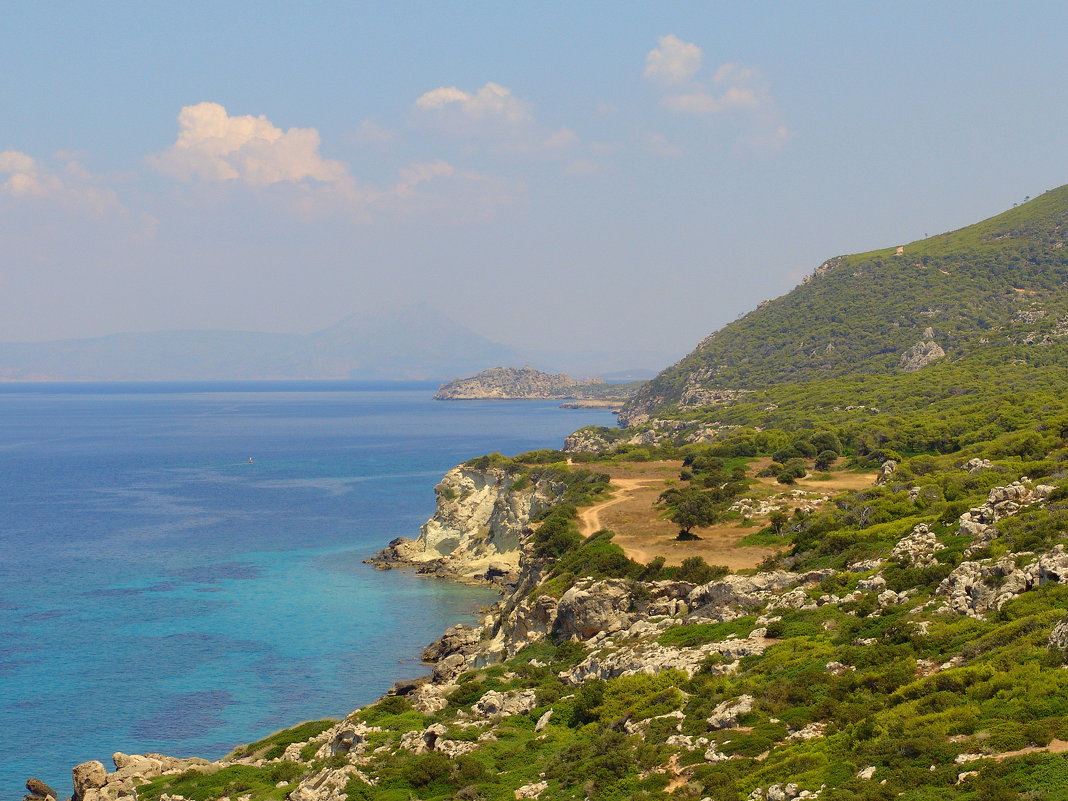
(570, 176)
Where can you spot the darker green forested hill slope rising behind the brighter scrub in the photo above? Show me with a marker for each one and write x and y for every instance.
(1001, 282)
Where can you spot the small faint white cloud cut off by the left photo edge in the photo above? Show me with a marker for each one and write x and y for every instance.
(24, 178)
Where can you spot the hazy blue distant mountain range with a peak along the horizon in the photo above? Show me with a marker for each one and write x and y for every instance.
(414, 343)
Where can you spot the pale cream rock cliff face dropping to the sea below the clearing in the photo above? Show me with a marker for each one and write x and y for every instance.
(478, 529)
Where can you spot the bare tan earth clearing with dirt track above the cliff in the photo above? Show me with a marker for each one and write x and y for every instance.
(645, 536)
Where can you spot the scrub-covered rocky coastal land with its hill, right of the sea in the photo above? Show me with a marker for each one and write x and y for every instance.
(824, 557)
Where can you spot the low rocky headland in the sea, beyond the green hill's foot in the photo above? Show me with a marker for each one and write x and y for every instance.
(528, 384)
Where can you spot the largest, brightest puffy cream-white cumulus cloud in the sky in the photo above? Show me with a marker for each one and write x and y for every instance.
(213, 146)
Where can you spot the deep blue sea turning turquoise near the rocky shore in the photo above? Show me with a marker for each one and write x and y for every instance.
(160, 592)
